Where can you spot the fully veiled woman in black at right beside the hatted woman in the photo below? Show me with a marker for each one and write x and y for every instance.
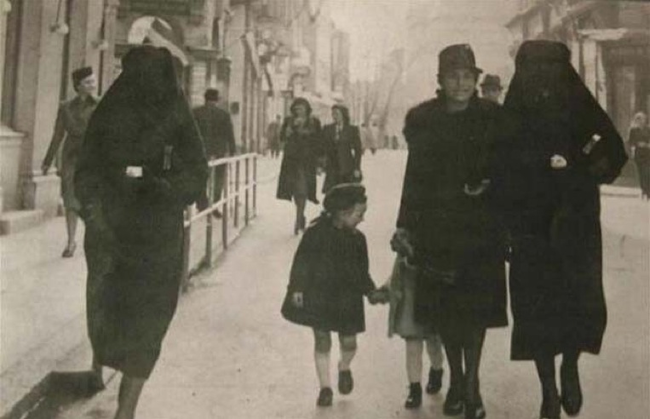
(567, 147)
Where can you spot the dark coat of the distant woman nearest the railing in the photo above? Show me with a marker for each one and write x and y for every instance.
(302, 148)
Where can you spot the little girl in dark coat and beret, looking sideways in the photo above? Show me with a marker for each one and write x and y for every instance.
(329, 278)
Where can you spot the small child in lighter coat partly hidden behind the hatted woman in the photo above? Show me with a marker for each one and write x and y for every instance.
(401, 320)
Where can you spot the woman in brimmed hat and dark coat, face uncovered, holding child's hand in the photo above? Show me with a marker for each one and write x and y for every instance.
(447, 215)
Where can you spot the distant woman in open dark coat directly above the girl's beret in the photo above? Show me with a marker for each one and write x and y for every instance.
(342, 143)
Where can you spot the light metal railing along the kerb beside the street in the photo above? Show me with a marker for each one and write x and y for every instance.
(201, 246)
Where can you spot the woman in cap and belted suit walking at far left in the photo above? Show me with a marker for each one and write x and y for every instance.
(70, 127)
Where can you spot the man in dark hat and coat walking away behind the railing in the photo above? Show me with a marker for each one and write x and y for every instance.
(215, 126)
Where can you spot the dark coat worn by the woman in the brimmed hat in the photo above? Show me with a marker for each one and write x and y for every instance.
(451, 230)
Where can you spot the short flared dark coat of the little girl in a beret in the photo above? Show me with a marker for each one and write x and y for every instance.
(330, 268)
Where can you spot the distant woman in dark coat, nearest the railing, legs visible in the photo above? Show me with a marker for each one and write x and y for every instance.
(300, 135)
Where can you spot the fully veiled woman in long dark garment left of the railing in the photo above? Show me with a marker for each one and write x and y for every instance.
(142, 162)
